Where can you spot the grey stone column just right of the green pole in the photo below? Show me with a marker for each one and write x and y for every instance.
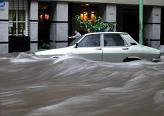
(152, 26)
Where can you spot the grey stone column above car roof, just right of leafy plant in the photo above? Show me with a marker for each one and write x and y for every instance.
(110, 14)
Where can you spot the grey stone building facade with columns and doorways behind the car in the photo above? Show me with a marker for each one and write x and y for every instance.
(29, 25)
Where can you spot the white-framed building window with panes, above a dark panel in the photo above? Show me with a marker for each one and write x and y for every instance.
(18, 17)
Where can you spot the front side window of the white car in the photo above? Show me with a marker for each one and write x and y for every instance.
(90, 41)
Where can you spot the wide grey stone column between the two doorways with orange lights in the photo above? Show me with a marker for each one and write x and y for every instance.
(59, 25)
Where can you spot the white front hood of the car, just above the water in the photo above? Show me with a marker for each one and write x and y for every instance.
(59, 51)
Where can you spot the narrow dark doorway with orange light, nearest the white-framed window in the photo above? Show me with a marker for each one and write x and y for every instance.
(43, 26)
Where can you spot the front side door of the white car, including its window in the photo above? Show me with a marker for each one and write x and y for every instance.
(90, 47)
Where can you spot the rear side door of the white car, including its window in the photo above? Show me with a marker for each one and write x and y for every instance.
(115, 48)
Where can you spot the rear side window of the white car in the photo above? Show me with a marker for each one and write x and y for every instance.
(113, 40)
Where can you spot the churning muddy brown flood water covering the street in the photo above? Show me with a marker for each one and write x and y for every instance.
(73, 86)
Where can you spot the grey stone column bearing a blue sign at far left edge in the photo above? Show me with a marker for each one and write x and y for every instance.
(4, 9)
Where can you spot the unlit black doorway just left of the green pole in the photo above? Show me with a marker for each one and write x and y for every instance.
(128, 20)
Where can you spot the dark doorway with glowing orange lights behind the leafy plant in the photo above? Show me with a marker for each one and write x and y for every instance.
(84, 10)
